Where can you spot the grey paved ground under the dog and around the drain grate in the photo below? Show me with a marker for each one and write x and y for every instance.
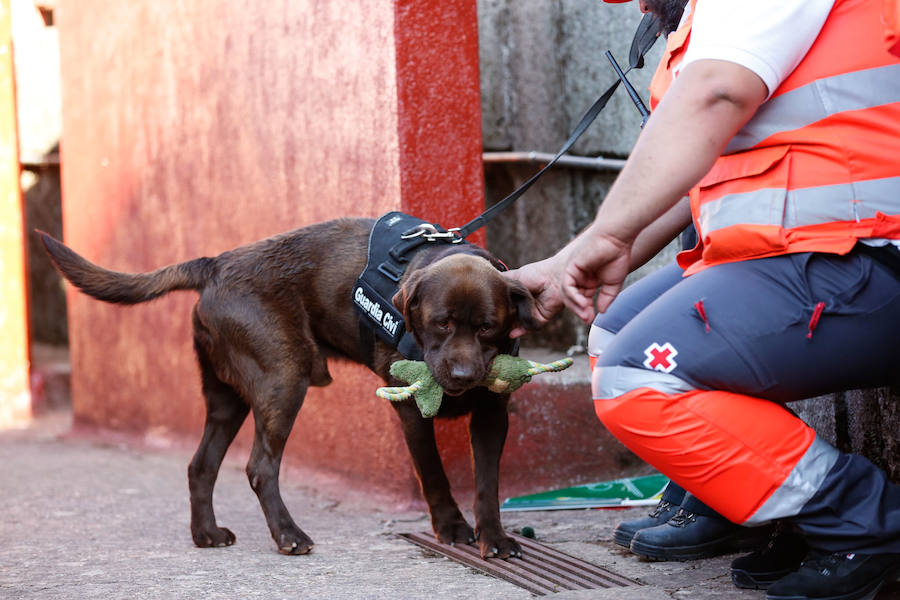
(84, 519)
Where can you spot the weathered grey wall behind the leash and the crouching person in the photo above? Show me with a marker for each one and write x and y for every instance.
(542, 66)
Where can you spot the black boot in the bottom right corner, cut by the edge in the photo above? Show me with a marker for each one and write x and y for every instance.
(842, 576)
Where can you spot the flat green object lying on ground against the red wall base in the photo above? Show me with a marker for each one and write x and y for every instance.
(630, 491)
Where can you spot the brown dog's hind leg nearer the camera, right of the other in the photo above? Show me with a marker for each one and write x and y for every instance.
(274, 419)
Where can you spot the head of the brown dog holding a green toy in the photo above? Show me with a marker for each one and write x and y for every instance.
(461, 311)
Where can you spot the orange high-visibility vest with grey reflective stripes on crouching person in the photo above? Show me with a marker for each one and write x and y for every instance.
(818, 165)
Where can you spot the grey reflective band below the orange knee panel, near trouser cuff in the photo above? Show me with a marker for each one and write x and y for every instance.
(804, 480)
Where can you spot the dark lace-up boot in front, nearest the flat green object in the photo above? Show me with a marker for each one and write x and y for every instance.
(696, 531)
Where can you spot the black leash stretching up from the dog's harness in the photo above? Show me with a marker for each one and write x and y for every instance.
(644, 37)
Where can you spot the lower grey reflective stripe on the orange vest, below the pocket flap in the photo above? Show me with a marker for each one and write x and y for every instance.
(806, 206)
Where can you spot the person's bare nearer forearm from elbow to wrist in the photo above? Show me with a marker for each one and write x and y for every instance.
(706, 105)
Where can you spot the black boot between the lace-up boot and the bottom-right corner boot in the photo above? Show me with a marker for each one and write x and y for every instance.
(781, 556)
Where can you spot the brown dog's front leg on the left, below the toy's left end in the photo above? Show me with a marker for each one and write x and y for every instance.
(446, 519)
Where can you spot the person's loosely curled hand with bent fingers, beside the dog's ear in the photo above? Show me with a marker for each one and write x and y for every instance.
(596, 264)
